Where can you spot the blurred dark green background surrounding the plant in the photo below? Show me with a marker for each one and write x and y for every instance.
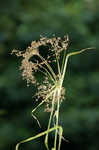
(22, 21)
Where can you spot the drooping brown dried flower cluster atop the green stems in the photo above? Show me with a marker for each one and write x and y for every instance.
(39, 63)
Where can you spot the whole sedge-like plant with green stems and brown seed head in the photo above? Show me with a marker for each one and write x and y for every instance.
(50, 91)
